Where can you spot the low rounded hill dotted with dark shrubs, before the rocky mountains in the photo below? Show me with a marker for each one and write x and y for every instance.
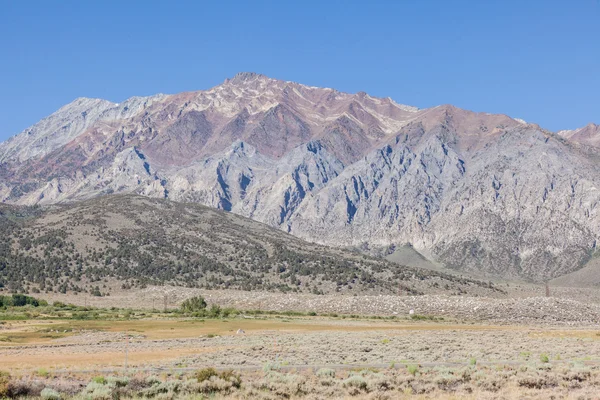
(126, 242)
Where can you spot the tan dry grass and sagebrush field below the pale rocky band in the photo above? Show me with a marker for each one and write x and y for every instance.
(281, 356)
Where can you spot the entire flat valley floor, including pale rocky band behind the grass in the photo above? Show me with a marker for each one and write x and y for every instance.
(519, 347)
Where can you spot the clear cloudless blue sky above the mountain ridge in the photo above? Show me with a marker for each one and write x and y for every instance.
(533, 59)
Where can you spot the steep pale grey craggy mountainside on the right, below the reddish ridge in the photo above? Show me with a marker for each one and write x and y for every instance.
(523, 206)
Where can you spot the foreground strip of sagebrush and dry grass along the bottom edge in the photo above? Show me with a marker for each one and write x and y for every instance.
(499, 382)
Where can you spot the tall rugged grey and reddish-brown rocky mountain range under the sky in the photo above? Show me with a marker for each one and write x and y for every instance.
(476, 192)
